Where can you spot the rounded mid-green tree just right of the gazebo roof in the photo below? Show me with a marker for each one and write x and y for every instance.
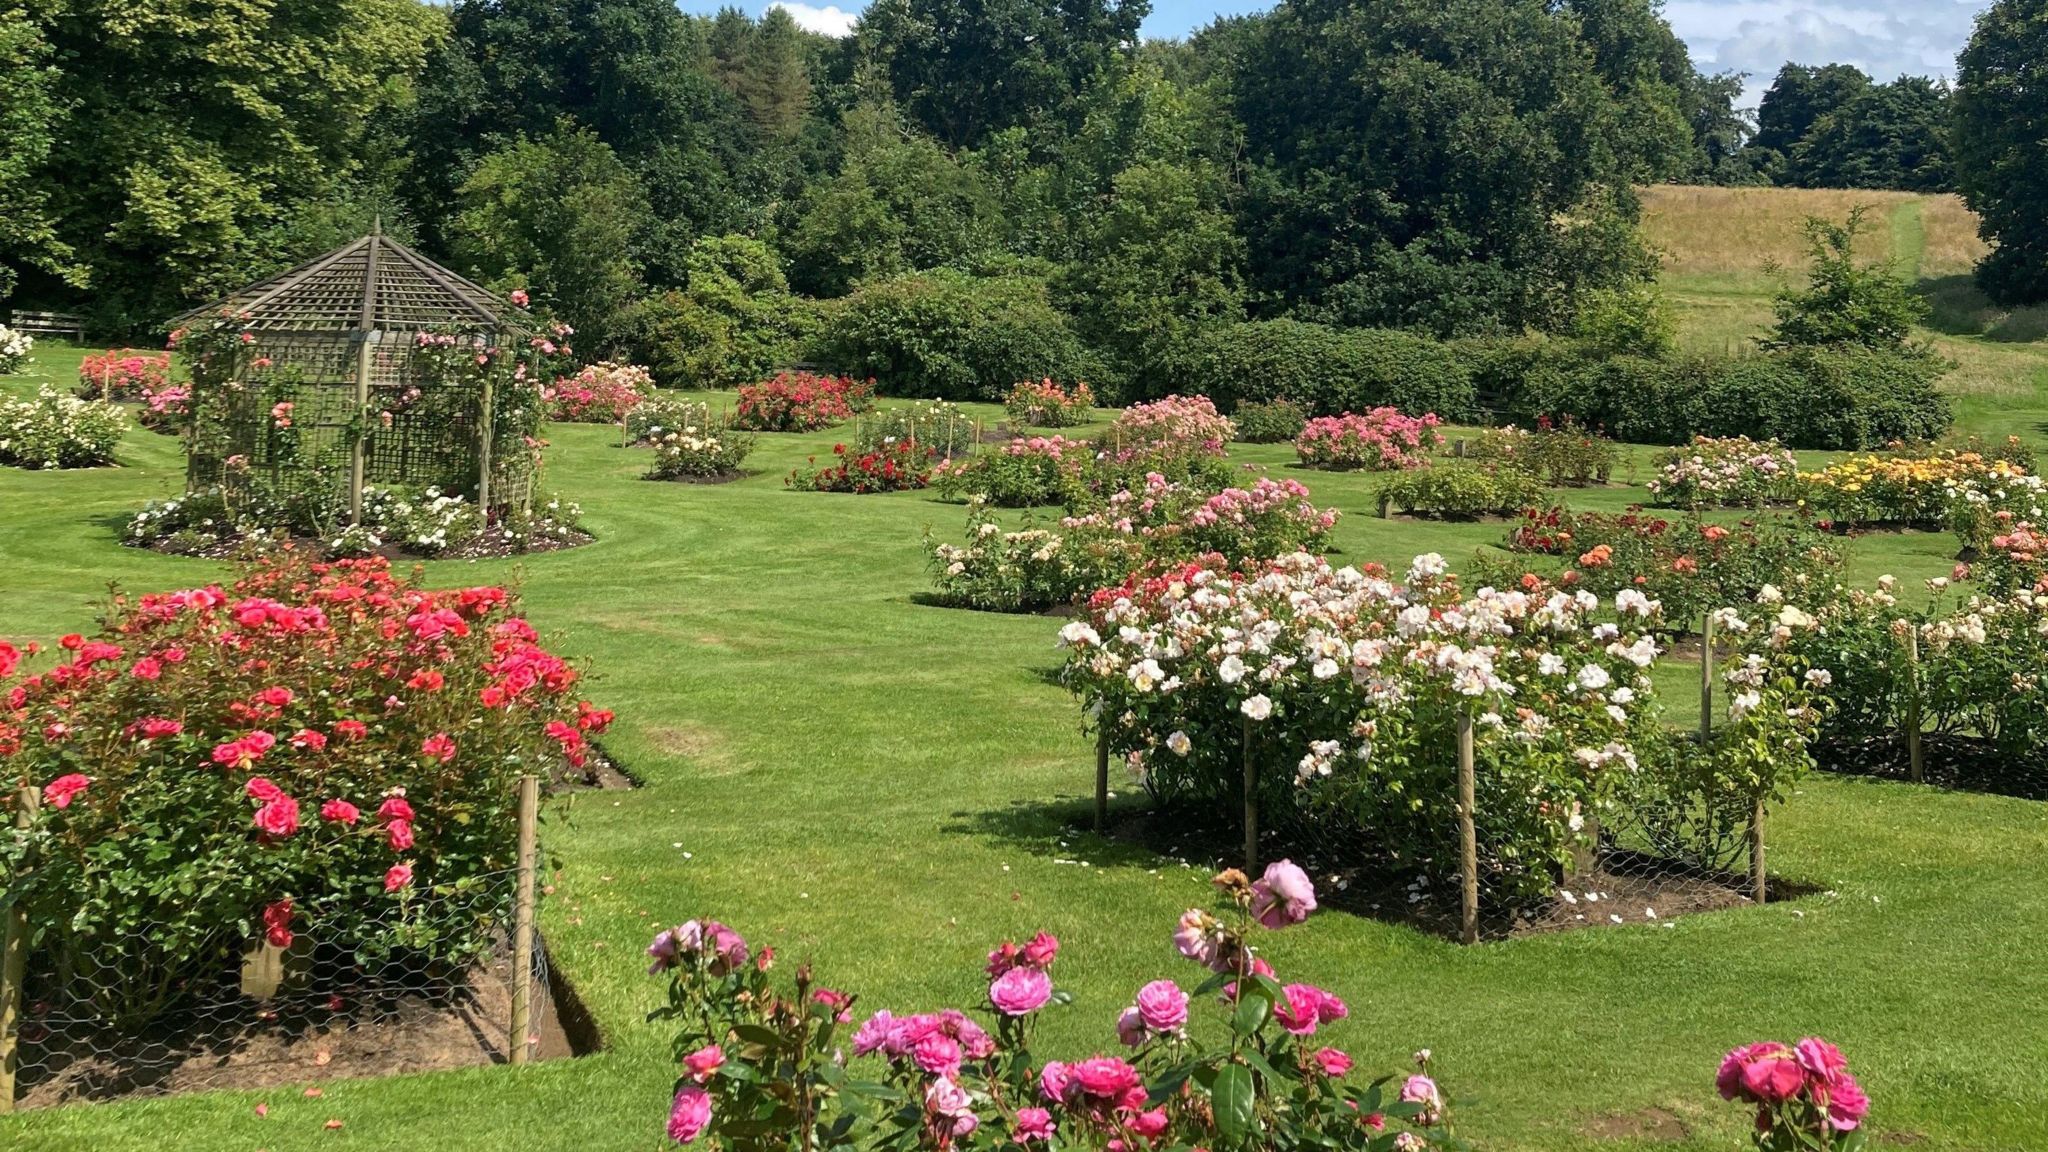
(556, 216)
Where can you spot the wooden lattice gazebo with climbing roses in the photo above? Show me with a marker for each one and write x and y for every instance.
(339, 339)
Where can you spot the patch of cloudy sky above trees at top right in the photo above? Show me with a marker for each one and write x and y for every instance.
(1883, 38)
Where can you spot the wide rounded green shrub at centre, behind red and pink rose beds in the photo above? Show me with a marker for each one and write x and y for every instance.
(953, 337)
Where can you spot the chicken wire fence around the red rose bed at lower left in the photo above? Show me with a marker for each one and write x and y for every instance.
(366, 985)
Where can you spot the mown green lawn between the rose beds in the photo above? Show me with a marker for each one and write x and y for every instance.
(886, 788)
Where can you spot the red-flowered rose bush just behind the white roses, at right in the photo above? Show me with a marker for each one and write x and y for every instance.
(1689, 565)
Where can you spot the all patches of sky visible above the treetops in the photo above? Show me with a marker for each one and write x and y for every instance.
(1885, 38)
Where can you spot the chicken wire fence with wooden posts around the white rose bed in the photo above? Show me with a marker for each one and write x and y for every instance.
(1674, 839)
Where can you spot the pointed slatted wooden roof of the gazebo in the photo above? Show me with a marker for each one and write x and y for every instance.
(374, 284)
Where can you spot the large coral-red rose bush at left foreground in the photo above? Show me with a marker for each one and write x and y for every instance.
(316, 751)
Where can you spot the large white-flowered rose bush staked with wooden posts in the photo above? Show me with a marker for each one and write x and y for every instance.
(1342, 694)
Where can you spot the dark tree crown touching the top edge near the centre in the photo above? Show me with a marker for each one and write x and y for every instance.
(972, 69)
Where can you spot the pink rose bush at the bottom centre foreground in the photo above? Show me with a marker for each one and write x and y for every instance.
(763, 1067)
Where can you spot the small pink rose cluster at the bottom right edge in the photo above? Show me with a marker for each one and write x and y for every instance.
(1805, 1096)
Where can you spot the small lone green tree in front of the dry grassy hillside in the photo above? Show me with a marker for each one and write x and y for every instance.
(1846, 302)
